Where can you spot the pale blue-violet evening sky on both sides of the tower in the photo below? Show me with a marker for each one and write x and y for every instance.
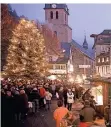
(92, 18)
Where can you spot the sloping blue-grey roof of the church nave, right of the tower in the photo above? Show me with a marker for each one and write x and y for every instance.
(88, 53)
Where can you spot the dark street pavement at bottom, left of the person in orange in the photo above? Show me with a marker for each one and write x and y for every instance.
(42, 118)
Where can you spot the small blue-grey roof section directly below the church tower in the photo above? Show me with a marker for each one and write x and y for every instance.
(66, 46)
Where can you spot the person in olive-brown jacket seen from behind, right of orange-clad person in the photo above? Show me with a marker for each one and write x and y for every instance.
(88, 112)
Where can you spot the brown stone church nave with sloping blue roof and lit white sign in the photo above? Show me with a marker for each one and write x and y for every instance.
(83, 62)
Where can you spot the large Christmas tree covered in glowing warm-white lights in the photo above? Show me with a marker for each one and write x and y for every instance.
(26, 53)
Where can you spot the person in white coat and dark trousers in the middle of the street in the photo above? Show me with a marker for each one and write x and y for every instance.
(70, 99)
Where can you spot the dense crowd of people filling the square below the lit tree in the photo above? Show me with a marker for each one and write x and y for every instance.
(19, 98)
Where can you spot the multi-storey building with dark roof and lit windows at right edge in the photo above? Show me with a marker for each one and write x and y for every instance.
(102, 46)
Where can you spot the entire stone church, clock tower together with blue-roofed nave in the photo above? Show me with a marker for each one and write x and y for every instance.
(79, 62)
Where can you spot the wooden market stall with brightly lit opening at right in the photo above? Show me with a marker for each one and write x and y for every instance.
(101, 89)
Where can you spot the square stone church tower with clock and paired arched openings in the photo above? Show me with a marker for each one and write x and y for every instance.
(57, 14)
